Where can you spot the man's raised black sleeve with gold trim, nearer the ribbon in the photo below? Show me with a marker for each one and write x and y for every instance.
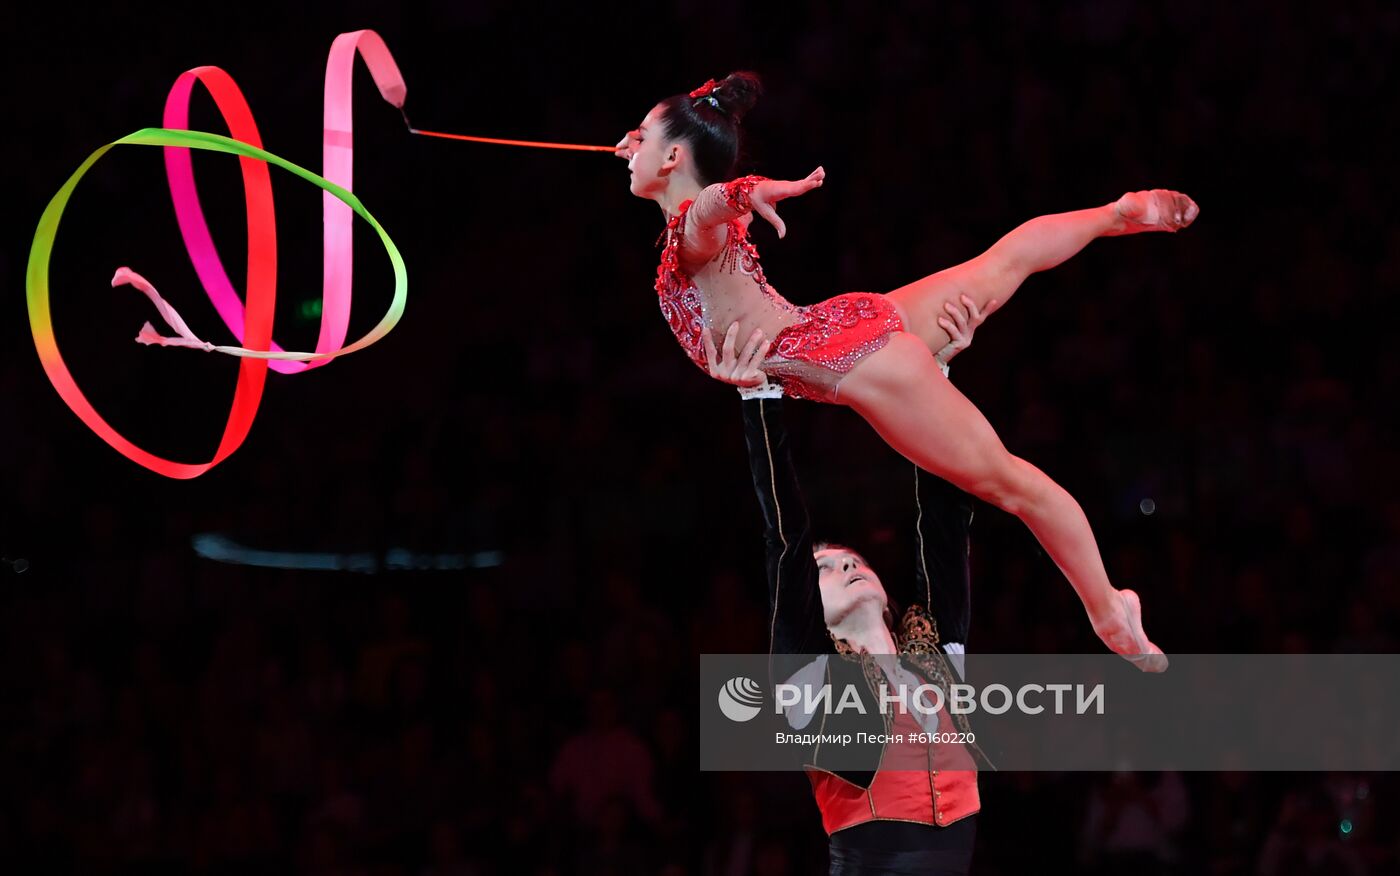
(796, 619)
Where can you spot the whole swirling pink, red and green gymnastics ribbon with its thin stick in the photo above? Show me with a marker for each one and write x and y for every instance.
(251, 321)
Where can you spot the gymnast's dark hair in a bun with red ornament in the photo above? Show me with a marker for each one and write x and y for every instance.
(712, 128)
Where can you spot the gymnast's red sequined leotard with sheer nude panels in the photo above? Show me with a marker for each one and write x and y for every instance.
(814, 346)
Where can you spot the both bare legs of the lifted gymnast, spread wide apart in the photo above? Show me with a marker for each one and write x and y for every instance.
(906, 398)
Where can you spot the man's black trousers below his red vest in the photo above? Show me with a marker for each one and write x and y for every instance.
(904, 849)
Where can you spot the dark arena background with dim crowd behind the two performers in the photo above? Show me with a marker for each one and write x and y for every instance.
(167, 713)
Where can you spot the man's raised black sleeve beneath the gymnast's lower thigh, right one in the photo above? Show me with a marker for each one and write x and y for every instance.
(943, 574)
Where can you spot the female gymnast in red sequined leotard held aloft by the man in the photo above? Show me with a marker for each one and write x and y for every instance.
(874, 352)
